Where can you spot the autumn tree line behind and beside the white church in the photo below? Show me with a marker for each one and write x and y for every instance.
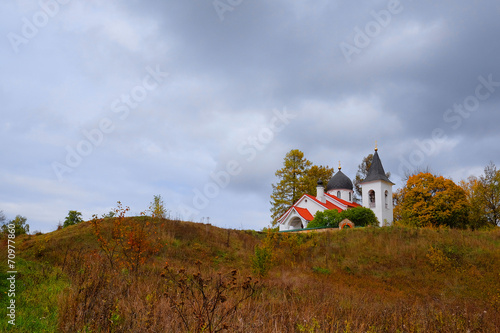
(425, 200)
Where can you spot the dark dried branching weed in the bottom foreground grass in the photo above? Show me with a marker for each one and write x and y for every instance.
(205, 303)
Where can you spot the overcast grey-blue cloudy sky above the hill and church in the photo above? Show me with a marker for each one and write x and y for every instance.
(199, 101)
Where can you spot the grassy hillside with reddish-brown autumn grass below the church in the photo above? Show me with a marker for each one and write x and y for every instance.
(200, 278)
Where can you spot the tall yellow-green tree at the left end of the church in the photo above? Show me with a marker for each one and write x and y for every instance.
(291, 185)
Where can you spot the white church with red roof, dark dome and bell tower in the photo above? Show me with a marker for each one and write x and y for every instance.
(339, 195)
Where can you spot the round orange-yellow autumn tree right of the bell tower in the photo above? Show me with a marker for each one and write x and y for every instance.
(427, 200)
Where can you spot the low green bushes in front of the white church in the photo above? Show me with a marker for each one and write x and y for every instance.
(360, 216)
